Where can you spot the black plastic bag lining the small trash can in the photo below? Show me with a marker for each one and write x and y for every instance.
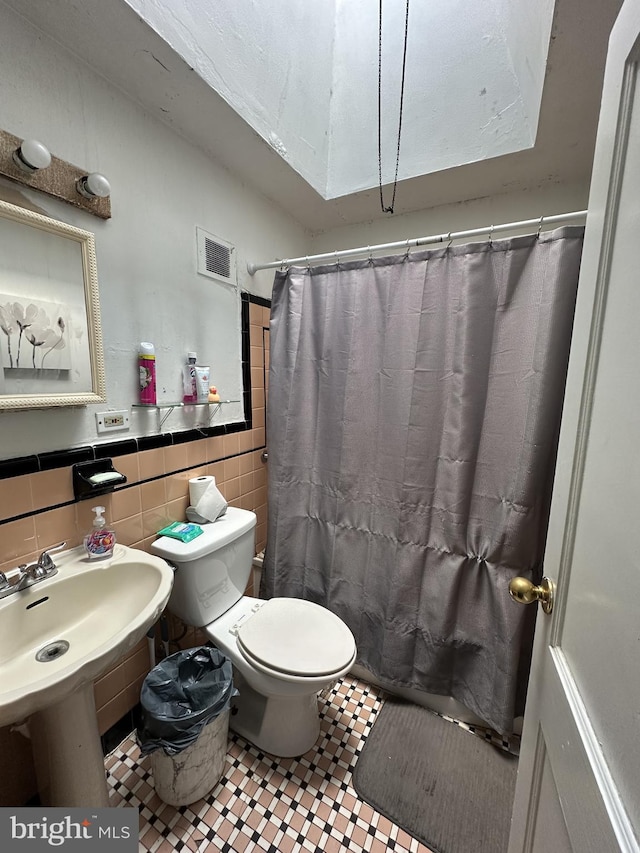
(181, 695)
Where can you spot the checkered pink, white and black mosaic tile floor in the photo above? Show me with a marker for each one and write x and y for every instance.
(278, 805)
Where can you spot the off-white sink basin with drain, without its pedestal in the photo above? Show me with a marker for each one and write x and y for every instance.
(100, 608)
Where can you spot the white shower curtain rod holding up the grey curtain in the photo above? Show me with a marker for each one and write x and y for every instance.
(554, 219)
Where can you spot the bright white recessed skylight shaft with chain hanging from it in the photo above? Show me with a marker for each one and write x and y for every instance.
(472, 87)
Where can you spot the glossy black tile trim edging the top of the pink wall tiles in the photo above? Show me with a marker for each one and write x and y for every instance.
(51, 460)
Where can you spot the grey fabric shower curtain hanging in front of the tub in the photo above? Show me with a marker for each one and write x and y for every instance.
(412, 422)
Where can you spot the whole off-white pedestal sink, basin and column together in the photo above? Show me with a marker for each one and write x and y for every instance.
(81, 621)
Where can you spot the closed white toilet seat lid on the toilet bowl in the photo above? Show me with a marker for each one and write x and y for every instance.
(296, 638)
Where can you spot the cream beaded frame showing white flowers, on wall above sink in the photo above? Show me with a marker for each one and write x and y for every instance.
(50, 337)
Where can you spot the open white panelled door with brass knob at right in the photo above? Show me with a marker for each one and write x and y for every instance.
(578, 787)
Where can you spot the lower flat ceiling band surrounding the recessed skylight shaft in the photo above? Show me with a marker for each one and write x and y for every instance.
(113, 39)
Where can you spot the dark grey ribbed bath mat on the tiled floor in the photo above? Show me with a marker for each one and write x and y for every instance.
(448, 788)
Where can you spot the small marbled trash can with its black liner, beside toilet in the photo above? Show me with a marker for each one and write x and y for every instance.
(185, 723)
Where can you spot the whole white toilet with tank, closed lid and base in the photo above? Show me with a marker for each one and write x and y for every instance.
(284, 651)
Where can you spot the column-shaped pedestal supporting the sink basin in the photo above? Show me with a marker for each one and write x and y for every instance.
(67, 752)
